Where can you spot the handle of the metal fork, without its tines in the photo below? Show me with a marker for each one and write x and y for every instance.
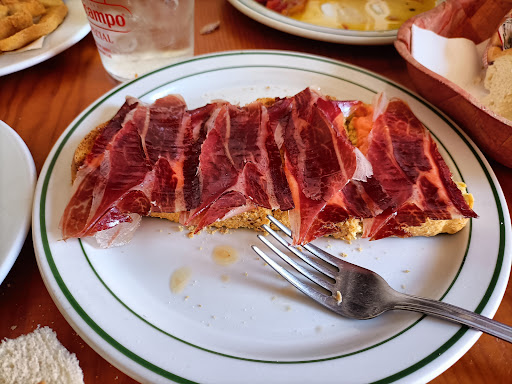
(455, 314)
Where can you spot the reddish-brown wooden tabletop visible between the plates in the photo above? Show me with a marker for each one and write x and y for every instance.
(41, 101)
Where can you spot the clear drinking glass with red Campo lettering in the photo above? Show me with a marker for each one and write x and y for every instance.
(137, 36)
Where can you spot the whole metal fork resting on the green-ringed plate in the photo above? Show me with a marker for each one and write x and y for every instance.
(359, 293)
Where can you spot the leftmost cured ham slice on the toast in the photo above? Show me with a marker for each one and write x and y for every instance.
(108, 185)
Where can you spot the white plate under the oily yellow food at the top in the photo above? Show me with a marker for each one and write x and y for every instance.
(286, 24)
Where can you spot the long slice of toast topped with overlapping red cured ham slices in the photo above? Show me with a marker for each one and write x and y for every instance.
(226, 165)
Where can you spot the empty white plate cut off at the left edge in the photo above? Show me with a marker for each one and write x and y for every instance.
(17, 183)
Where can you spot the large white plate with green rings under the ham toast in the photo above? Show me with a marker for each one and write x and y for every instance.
(241, 322)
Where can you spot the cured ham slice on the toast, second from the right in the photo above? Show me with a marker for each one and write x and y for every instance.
(319, 161)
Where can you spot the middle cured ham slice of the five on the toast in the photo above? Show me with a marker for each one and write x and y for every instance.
(240, 167)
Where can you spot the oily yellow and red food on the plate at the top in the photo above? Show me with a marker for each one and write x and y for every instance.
(363, 15)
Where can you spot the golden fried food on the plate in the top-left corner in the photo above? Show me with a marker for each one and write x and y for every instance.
(24, 21)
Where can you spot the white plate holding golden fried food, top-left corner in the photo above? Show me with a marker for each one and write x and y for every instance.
(73, 29)
